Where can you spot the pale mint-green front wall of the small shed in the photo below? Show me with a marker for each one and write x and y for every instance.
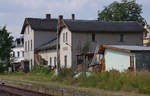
(117, 60)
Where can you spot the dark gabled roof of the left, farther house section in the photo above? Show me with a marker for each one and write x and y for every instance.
(40, 24)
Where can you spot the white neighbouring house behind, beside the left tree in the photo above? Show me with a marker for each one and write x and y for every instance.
(18, 51)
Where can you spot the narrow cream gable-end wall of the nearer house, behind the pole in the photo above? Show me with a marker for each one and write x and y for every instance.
(66, 48)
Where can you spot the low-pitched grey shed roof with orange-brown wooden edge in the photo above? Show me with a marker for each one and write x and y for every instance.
(124, 48)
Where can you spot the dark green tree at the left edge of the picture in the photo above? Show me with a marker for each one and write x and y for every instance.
(5, 44)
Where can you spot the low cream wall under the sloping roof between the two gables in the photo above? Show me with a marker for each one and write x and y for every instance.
(47, 54)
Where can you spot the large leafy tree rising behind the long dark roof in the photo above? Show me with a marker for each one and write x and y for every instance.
(126, 10)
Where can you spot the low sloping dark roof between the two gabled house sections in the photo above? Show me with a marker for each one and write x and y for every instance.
(51, 44)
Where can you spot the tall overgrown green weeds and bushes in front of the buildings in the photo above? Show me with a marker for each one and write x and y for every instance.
(113, 80)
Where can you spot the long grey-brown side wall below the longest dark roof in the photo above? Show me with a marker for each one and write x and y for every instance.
(79, 38)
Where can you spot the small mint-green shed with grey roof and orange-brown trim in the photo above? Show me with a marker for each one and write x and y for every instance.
(125, 57)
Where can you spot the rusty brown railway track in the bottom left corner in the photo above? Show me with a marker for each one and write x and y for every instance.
(21, 92)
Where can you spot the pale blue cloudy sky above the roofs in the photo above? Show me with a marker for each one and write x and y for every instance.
(13, 12)
